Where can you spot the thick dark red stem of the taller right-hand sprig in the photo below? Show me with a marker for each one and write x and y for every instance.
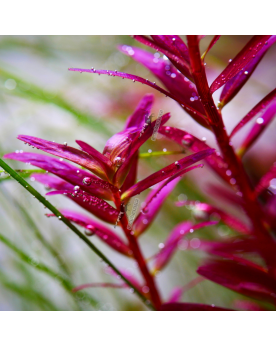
(251, 206)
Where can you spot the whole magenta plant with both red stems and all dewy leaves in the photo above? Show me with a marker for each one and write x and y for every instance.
(105, 183)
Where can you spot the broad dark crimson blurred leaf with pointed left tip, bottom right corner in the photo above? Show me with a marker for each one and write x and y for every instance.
(246, 280)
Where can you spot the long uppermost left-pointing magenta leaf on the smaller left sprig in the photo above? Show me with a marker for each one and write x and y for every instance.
(66, 152)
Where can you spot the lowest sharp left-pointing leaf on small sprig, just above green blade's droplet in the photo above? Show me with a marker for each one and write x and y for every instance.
(101, 231)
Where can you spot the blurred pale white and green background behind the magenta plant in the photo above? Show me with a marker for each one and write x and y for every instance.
(40, 97)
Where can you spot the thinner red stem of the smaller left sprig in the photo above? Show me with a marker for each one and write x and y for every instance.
(134, 246)
